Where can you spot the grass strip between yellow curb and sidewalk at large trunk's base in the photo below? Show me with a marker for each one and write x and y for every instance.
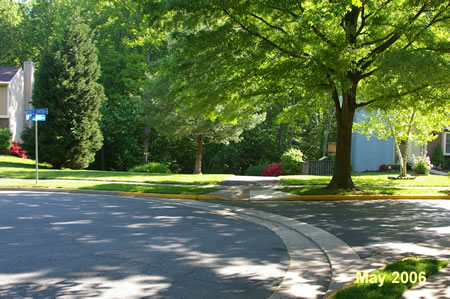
(365, 191)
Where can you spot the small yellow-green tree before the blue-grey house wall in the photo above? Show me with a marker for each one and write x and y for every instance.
(412, 123)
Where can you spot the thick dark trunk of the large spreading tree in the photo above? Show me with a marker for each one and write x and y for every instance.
(342, 176)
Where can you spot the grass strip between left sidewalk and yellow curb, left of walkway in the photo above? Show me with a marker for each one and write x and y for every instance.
(186, 190)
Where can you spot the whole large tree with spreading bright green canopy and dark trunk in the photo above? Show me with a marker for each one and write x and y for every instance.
(255, 52)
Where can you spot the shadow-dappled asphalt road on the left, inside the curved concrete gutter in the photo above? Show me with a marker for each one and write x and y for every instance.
(76, 245)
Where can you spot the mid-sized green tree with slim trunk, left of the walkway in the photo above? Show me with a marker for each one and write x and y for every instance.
(174, 118)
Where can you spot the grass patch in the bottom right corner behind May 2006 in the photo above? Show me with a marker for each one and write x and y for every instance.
(390, 289)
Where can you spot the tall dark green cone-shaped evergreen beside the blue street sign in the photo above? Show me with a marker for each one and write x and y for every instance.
(66, 84)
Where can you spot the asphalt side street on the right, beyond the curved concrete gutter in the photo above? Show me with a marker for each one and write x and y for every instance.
(371, 227)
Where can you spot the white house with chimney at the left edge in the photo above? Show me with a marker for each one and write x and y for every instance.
(16, 86)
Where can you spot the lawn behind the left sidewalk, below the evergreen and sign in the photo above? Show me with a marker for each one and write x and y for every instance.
(17, 168)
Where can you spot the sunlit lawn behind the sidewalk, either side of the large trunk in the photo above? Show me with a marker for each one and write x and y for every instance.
(370, 179)
